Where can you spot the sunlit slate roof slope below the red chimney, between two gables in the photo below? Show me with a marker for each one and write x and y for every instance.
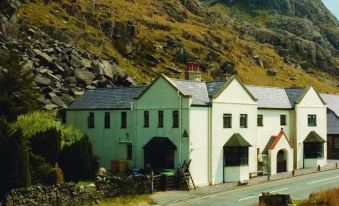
(197, 90)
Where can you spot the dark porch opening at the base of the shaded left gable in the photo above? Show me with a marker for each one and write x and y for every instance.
(159, 153)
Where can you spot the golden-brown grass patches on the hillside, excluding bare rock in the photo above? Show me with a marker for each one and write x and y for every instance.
(238, 50)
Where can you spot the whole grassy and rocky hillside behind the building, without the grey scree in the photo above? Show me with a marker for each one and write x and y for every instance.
(148, 37)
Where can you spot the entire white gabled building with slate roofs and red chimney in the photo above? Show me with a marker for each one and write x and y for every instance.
(229, 131)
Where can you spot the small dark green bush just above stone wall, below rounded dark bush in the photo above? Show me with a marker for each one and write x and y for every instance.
(39, 169)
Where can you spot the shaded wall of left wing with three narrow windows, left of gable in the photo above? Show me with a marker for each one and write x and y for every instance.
(106, 144)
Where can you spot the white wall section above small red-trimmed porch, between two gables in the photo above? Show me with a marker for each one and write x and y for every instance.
(272, 127)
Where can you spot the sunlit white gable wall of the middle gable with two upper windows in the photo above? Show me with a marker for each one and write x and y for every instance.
(233, 100)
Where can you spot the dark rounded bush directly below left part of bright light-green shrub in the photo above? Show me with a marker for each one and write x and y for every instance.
(47, 145)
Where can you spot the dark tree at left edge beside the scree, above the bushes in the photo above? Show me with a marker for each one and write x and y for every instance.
(17, 94)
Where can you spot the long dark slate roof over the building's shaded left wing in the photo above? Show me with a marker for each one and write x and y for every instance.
(107, 98)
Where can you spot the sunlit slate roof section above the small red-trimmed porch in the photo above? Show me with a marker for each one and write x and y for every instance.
(270, 97)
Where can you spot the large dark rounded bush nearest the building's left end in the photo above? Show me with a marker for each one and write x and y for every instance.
(78, 161)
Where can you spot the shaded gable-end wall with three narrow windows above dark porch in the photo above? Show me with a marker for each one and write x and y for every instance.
(162, 96)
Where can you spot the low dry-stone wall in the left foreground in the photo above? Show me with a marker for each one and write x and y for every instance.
(72, 194)
